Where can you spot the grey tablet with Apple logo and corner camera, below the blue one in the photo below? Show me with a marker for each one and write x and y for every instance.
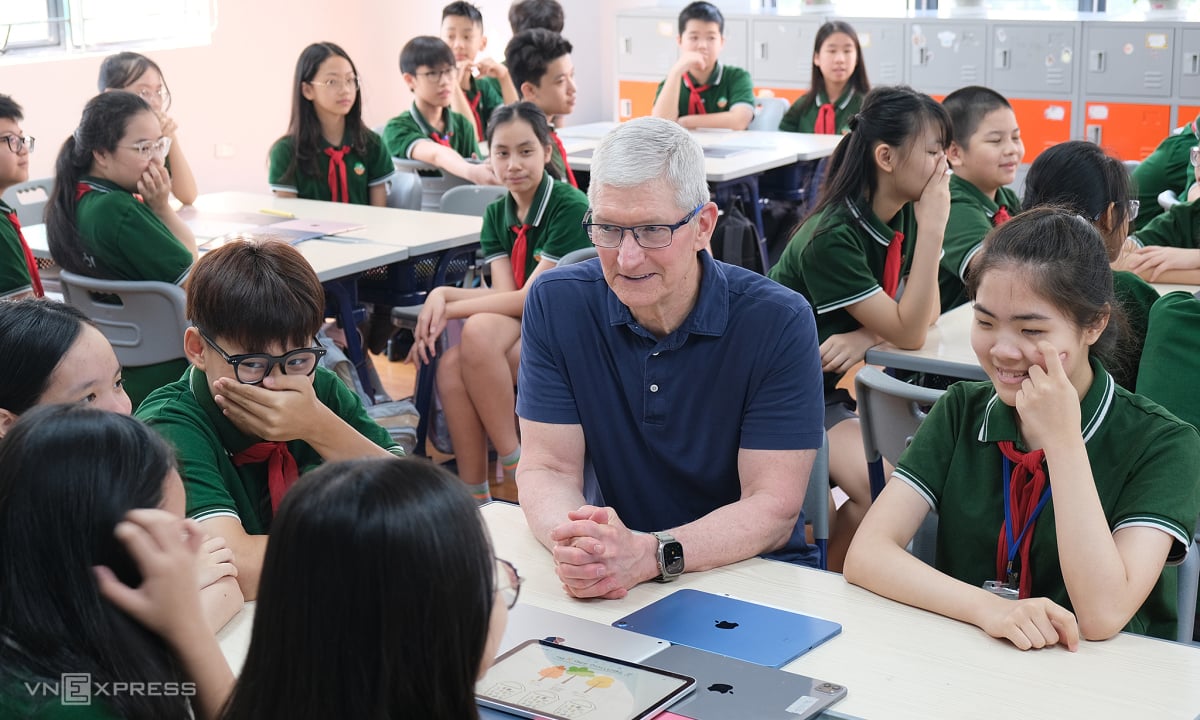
(728, 688)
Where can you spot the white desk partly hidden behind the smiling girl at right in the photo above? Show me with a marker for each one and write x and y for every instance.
(947, 350)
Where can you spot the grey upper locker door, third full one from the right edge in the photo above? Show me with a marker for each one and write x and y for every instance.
(947, 56)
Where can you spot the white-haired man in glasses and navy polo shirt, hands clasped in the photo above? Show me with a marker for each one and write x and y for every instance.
(692, 388)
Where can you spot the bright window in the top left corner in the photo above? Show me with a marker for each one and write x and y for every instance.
(59, 27)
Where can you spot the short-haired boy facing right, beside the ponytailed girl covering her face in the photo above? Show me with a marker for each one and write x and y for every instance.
(985, 154)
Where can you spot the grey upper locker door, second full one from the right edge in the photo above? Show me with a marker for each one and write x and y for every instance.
(1035, 58)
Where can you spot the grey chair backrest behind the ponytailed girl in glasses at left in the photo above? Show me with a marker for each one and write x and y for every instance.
(145, 321)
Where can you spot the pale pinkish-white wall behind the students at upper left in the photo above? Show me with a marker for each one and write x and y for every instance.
(236, 93)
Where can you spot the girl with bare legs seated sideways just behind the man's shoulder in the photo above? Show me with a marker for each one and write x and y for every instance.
(525, 235)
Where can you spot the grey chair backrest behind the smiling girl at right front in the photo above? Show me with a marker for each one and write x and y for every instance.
(890, 412)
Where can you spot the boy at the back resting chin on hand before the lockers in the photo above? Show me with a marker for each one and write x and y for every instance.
(699, 91)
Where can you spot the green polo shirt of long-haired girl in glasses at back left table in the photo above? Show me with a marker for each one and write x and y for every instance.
(363, 171)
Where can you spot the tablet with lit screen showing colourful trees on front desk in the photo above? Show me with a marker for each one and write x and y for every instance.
(543, 680)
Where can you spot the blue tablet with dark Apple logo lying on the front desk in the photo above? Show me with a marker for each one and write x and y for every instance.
(730, 627)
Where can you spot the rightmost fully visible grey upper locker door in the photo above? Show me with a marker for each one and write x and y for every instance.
(1129, 59)
